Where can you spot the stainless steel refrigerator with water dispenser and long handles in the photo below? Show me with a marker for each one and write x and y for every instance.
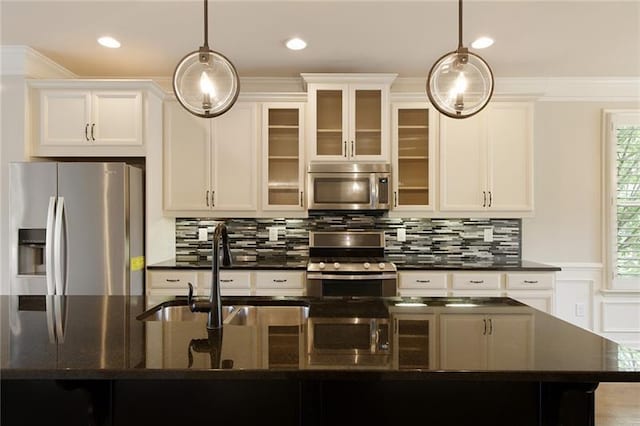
(76, 228)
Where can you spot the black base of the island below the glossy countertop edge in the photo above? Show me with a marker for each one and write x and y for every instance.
(313, 402)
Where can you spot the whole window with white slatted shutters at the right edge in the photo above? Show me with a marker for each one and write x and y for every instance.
(622, 155)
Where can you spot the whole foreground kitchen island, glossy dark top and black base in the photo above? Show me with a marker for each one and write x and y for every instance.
(280, 360)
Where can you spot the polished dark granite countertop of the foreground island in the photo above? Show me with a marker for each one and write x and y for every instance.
(94, 337)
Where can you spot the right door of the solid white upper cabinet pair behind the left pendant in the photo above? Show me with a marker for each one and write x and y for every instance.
(235, 147)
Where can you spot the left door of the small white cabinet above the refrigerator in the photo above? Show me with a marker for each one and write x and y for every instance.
(65, 117)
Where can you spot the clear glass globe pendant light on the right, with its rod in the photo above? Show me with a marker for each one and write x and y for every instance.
(460, 83)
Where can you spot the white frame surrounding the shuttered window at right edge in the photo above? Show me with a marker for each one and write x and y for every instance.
(612, 118)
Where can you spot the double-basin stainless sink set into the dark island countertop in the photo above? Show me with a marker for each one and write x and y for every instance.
(242, 315)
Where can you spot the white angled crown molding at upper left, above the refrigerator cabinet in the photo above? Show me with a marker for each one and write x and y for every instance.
(27, 62)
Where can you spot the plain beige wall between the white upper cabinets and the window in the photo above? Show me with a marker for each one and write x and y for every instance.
(567, 225)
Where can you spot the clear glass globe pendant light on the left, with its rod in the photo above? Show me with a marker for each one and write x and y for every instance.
(205, 82)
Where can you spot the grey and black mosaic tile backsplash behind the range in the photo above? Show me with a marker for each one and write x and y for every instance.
(427, 240)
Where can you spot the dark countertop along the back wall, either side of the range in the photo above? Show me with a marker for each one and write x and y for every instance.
(405, 263)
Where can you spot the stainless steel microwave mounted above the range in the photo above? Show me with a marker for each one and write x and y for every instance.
(348, 186)
